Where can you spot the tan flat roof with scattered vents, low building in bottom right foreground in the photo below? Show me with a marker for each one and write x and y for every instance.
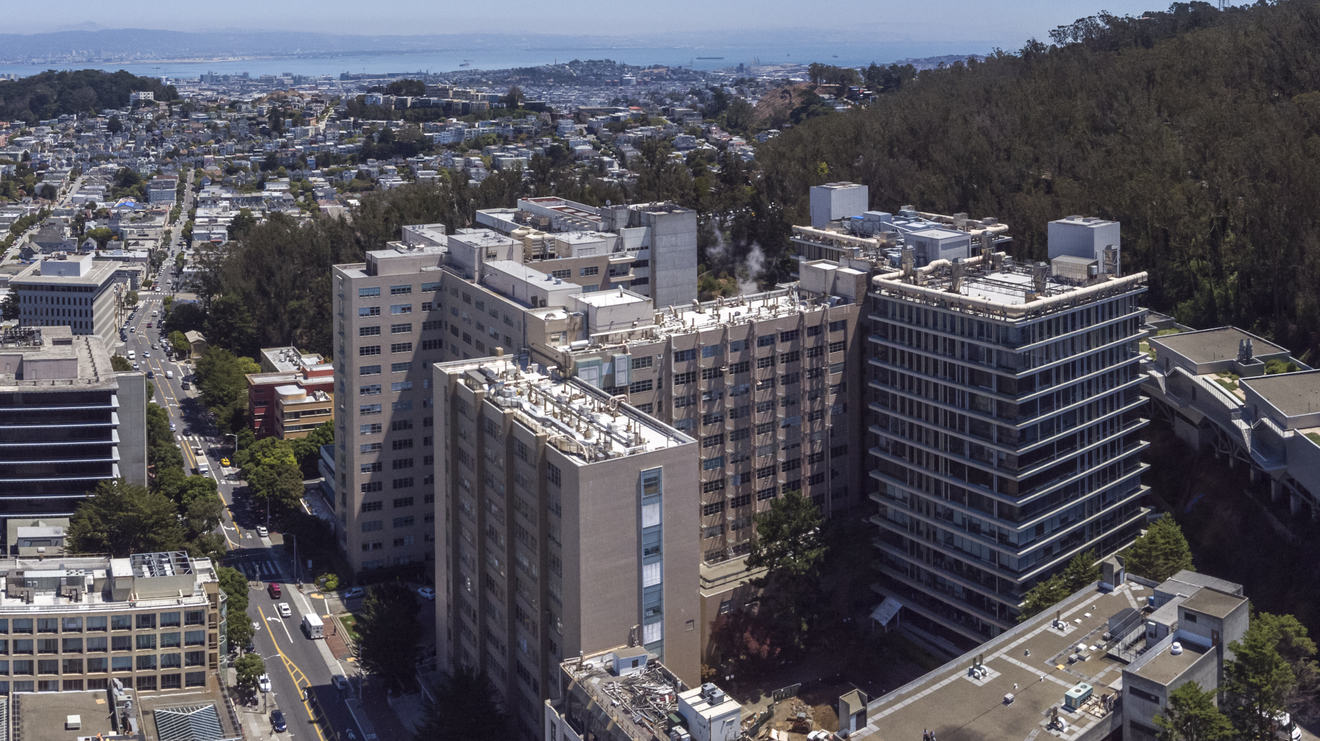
(1030, 662)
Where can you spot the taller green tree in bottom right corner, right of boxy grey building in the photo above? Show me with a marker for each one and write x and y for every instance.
(1259, 680)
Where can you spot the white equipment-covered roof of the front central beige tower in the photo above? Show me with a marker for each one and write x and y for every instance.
(591, 426)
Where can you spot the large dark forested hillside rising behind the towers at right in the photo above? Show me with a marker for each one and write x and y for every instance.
(1198, 130)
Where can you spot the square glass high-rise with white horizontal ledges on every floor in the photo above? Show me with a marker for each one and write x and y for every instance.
(1005, 419)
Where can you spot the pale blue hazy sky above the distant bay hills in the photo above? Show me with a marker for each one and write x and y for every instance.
(1009, 23)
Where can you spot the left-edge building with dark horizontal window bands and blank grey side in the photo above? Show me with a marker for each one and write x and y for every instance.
(68, 422)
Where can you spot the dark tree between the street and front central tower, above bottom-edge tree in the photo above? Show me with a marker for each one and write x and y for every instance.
(390, 632)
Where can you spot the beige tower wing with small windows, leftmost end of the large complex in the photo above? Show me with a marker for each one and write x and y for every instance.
(387, 332)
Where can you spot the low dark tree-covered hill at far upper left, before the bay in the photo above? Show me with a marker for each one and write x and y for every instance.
(59, 93)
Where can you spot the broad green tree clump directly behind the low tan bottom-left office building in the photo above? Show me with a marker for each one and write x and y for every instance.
(123, 518)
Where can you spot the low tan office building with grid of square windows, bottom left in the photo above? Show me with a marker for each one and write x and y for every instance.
(152, 621)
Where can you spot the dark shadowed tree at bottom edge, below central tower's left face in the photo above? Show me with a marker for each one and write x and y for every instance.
(465, 707)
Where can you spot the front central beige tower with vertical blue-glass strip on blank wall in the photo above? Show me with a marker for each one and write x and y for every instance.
(567, 525)
